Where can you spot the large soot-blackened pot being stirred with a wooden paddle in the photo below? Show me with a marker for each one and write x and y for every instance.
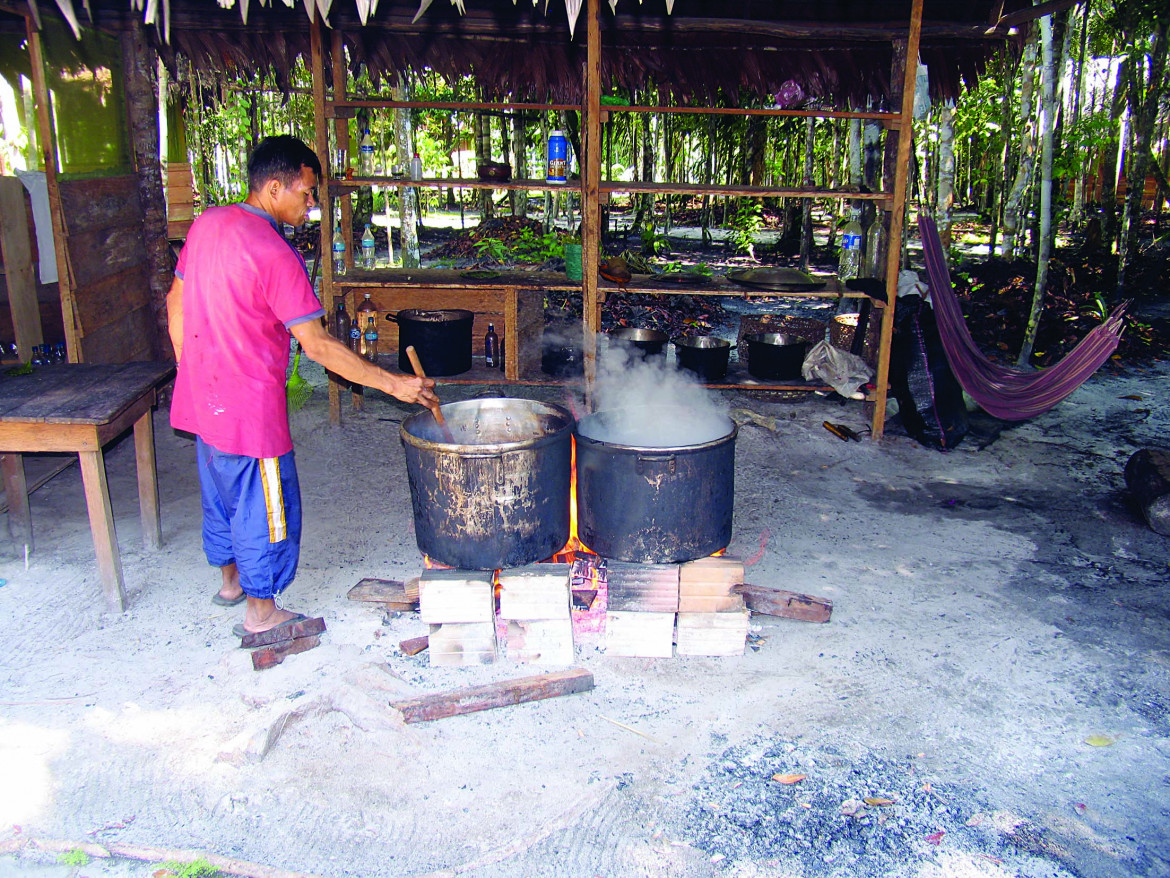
(498, 496)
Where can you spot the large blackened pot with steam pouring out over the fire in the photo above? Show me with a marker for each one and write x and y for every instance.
(656, 485)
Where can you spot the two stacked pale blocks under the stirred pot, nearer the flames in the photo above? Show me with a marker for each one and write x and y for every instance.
(534, 614)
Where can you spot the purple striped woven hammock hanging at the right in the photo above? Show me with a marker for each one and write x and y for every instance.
(1006, 393)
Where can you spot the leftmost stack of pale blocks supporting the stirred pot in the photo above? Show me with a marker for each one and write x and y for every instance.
(460, 608)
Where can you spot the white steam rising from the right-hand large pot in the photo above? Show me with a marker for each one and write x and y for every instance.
(651, 403)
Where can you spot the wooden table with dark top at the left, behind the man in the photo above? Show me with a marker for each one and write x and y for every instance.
(79, 408)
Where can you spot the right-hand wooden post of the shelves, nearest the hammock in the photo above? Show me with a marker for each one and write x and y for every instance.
(905, 136)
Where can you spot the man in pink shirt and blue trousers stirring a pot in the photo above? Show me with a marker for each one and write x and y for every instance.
(240, 290)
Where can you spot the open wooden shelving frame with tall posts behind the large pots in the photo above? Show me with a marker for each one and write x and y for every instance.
(891, 201)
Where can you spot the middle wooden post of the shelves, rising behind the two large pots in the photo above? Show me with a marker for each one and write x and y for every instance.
(591, 177)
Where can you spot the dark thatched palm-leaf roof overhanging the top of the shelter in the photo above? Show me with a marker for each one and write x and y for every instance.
(697, 51)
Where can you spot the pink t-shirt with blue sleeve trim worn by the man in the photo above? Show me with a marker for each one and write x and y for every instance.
(243, 287)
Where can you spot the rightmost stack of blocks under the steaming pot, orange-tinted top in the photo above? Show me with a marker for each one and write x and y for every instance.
(713, 619)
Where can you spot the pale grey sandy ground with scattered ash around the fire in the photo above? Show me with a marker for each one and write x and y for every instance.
(1000, 611)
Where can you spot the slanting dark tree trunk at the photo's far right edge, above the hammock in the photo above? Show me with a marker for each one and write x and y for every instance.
(1144, 97)
